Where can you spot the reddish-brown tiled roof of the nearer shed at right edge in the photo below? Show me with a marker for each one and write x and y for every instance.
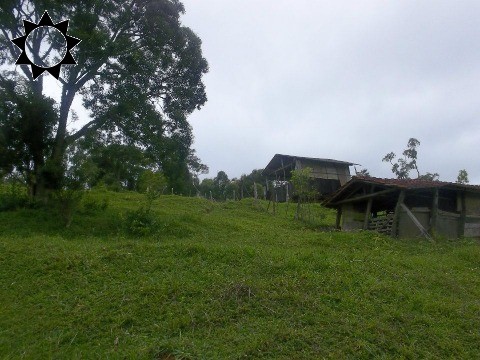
(401, 184)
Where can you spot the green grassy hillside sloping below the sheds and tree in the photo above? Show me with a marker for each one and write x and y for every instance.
(227, 281)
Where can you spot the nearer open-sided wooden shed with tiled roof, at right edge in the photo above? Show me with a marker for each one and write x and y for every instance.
(408, 208)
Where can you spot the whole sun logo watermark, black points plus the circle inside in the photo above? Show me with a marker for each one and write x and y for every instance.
(32, 45)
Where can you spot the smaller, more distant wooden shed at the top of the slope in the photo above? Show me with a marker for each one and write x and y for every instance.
(327, 175)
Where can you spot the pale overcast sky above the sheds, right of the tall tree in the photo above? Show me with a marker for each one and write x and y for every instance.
(347, 80)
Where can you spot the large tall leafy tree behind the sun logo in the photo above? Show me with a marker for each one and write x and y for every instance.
(139, 73)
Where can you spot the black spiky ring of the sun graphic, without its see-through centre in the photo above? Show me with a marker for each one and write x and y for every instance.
(54, 70)
